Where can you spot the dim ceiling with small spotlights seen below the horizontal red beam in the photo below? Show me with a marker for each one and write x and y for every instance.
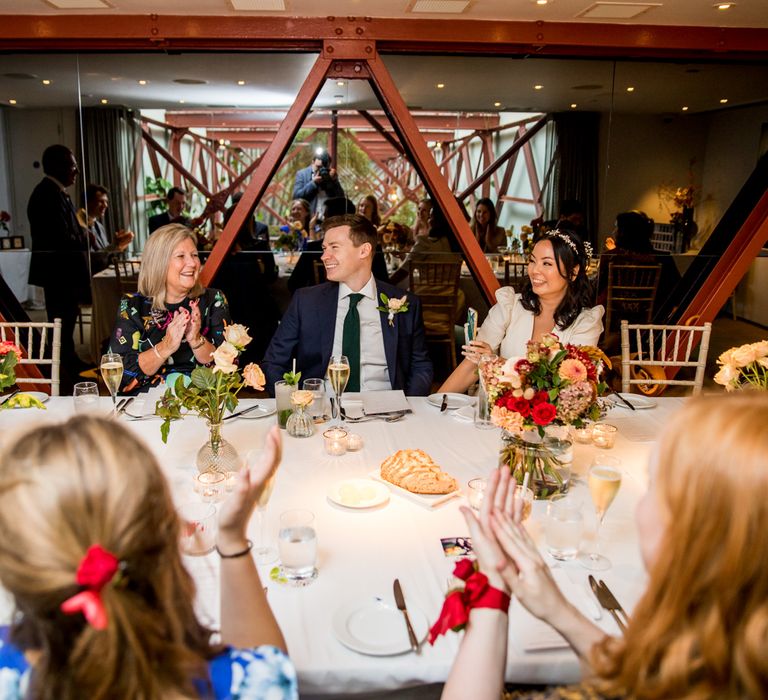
(471, 83)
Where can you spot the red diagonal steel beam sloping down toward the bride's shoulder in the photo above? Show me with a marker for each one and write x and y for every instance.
(421, 157)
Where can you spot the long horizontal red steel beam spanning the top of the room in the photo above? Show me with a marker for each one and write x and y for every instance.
(392, 35)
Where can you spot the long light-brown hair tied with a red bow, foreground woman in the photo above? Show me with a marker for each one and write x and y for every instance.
(84, 482)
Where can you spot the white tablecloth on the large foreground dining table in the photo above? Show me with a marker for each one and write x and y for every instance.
(361, 552)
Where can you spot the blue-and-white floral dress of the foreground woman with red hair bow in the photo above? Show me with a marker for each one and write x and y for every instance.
(264, 672)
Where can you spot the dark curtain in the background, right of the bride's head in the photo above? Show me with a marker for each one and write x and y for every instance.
(578, 136)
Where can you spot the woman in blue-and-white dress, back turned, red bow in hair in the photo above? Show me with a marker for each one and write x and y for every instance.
(104, 605)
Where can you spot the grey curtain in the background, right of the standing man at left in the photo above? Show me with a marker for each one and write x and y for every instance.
(110, 139)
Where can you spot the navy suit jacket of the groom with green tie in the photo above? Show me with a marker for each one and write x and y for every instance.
(307, 329)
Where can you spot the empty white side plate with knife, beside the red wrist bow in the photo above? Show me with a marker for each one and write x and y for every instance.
(376, 627)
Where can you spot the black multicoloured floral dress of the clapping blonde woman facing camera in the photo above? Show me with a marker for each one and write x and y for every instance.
(139, 328)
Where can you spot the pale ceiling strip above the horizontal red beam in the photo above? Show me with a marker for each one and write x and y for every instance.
(745, 13)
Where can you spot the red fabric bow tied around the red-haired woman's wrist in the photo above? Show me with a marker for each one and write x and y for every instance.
(476, 594)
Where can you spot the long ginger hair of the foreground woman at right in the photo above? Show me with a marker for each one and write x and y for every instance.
(701, 628)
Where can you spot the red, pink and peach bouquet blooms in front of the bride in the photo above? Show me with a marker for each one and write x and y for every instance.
(553, 384)
